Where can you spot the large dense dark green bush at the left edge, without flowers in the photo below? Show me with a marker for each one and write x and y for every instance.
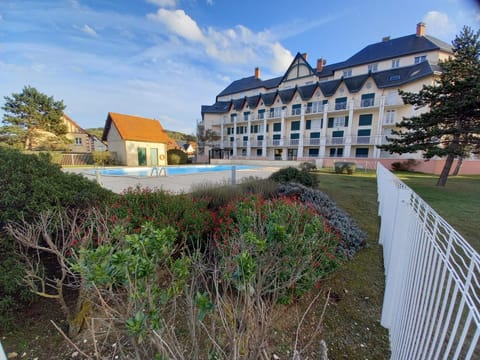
(31, 184)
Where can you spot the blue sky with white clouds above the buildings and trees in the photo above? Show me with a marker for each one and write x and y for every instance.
(163, 59)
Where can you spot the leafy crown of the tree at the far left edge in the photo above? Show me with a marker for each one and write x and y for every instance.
(27, 114)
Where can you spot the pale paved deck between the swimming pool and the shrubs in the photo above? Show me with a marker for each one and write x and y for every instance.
(174, 184)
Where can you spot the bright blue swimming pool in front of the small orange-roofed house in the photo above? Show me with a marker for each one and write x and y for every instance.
(171, 170)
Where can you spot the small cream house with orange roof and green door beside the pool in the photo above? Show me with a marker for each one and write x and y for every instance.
(135, 140)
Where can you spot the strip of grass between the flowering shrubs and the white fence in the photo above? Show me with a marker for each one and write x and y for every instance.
(352, 325)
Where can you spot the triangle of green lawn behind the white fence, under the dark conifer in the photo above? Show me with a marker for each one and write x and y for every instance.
(458, 202)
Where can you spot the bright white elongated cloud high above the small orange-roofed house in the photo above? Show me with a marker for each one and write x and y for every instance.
(179, 23)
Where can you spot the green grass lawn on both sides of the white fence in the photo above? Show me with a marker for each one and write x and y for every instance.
(351, 326)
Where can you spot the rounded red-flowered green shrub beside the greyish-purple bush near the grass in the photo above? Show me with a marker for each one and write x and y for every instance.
(284, 233)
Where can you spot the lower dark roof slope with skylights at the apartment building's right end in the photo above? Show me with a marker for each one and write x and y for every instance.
(400, 76)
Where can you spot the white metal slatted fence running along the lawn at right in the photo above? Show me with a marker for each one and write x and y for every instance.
(432, 293)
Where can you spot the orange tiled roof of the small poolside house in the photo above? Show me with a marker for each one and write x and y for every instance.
(137, 128)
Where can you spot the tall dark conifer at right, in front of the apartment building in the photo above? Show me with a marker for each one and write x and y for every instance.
(451, 127)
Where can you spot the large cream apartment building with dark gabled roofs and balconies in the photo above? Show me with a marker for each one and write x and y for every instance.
(330, 110)
